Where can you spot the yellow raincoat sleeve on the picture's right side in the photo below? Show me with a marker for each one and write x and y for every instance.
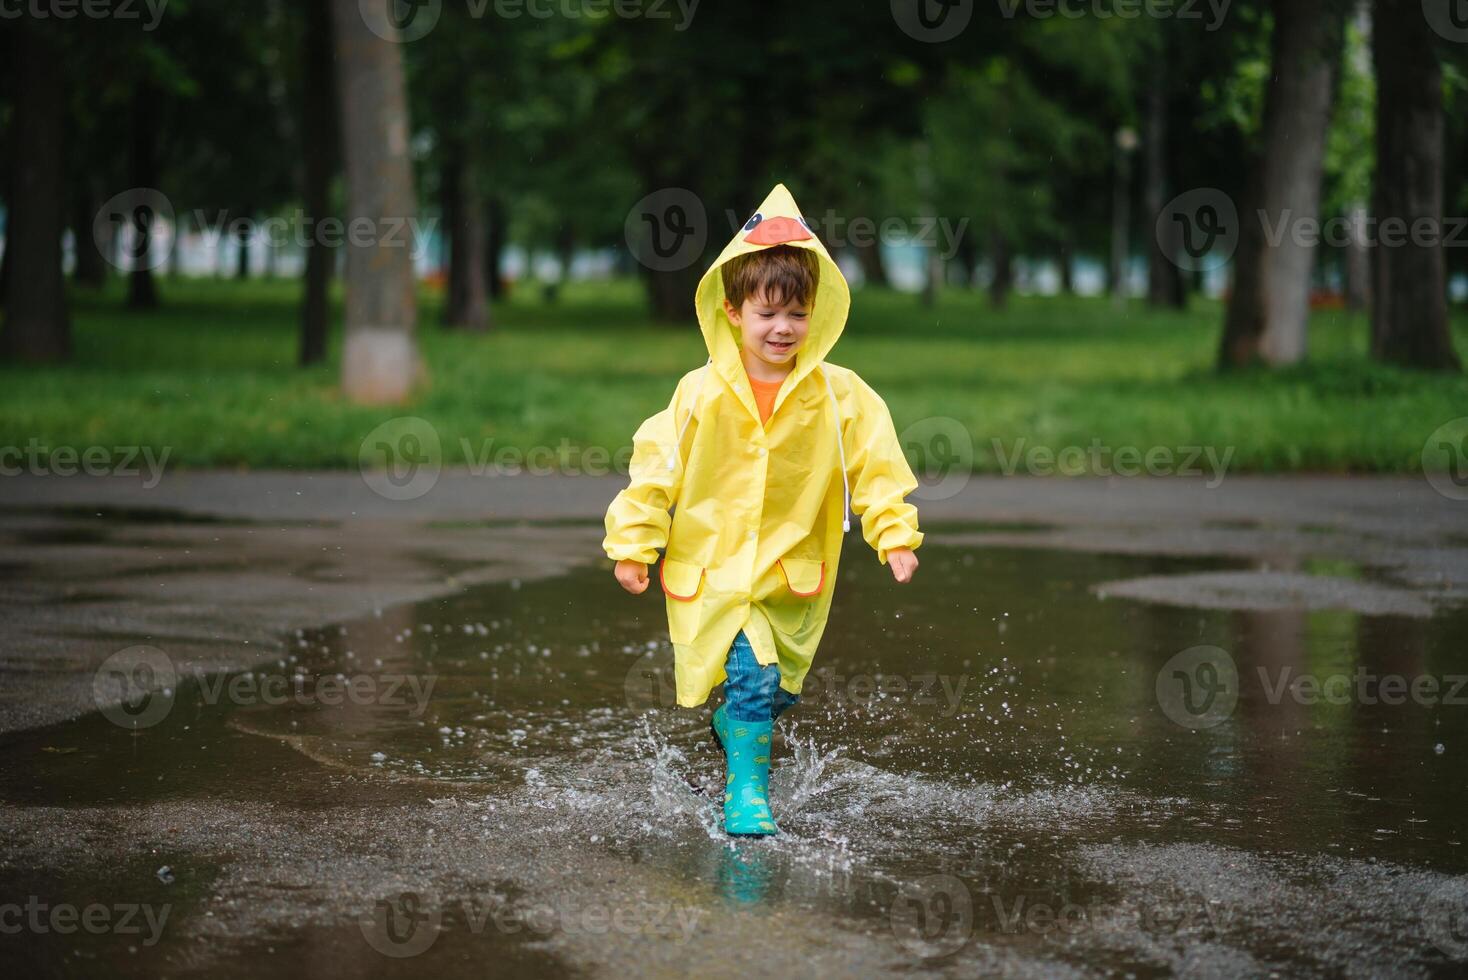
(880, 478)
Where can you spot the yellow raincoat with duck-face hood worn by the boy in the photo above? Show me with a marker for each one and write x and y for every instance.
(761, 508)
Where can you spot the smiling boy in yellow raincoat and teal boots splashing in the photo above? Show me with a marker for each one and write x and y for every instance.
(783, 450)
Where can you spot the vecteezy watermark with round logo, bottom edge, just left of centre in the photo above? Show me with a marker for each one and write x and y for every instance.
(410, 924)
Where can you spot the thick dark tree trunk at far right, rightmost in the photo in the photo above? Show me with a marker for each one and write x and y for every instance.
(1410, 318)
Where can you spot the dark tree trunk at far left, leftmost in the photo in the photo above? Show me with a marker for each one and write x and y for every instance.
(37, 325)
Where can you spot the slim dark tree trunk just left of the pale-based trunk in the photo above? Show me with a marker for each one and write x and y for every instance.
(322, 155)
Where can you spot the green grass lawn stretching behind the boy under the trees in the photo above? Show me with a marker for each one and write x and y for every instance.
(212, 378)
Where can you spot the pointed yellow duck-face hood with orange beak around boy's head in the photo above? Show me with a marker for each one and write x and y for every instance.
(776, 222)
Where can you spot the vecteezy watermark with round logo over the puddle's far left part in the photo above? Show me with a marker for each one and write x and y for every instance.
(136, 689)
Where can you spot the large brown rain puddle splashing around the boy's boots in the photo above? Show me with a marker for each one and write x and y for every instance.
(984, 743)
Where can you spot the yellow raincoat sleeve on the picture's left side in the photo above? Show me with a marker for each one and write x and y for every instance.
(638, 520)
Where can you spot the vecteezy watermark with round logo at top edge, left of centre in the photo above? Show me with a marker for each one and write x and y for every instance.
(407, 21)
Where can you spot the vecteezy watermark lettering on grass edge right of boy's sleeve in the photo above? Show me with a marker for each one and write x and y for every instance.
(1122, 461)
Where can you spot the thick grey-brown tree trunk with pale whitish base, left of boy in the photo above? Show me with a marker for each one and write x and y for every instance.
(379, 356)
